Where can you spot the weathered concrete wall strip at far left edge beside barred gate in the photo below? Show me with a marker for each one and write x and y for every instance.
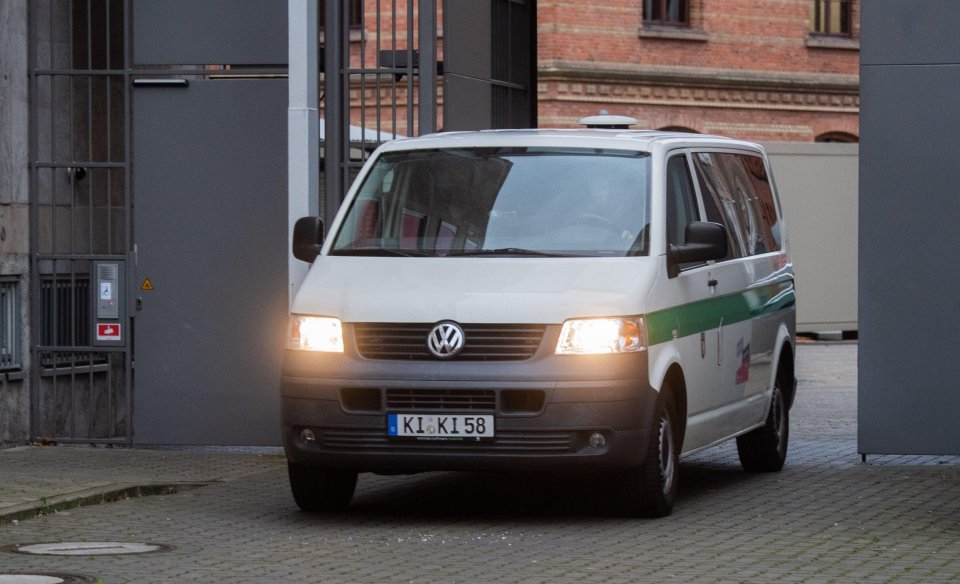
(14, 206)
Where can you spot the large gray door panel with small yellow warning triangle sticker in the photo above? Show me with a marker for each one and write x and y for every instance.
(211, 233)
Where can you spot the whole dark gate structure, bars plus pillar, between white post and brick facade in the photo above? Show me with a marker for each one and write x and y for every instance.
(382, 61)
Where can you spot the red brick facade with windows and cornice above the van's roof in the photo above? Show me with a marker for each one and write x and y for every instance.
(765, 70)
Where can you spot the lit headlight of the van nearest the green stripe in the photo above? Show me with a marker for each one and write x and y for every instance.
(598, 336)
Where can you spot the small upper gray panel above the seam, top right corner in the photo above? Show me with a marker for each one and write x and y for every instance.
(909, 32)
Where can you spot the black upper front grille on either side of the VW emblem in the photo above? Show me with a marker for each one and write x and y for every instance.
(483, 342)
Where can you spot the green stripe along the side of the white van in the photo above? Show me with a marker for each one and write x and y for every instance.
(704, 315)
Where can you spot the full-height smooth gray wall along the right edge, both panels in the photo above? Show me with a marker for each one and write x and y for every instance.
(909, 394)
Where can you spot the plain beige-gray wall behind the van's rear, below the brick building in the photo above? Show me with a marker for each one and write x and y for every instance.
(818, 192)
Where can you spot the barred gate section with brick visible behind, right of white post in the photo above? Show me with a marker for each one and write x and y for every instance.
(380, 82)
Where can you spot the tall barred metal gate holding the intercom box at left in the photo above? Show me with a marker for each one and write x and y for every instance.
(80, 218)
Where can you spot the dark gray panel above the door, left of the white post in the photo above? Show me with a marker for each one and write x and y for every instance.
(188, 32)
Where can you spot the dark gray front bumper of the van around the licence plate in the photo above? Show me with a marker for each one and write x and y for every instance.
(546, 408)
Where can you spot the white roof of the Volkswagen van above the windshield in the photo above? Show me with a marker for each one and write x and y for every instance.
(591, 138)
